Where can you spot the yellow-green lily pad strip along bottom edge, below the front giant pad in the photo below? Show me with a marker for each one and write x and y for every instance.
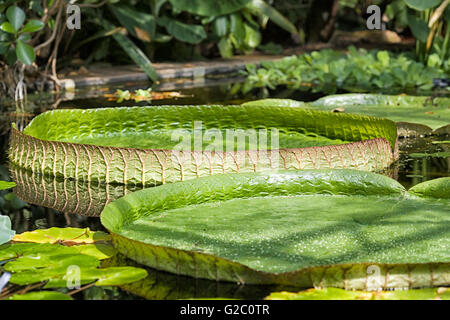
(340, 294)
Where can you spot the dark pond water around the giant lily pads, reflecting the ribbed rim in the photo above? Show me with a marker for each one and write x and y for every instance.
(44, 207)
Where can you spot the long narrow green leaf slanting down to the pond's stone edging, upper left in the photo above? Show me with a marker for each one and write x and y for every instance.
(133, 52)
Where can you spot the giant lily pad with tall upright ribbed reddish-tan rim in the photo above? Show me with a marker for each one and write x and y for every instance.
(154, 145)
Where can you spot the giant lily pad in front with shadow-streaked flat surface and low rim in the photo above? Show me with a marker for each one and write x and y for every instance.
(304, 228)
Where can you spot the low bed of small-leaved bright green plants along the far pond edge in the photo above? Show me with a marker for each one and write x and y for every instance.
(359, 70)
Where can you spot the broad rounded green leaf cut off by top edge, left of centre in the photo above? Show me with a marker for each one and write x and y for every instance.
(209, 7)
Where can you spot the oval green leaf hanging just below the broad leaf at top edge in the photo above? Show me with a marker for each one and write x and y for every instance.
(189, 33)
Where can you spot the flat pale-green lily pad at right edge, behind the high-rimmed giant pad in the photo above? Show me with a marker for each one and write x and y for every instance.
(396, 108)
